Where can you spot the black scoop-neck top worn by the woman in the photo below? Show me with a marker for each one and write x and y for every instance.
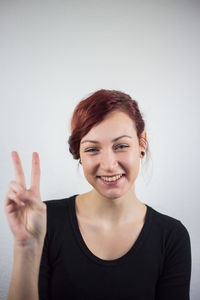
(157, 267)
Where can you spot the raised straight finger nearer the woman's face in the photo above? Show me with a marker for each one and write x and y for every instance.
(35, 173)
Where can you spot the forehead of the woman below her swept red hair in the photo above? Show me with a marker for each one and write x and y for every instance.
(115, 124)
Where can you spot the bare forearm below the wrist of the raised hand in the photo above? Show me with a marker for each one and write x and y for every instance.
(24, 281)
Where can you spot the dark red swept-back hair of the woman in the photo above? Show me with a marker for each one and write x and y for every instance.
(92, 110)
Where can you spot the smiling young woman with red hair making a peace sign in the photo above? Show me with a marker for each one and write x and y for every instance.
(106, 243)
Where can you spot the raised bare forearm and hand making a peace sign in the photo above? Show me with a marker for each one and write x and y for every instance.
(26, 215)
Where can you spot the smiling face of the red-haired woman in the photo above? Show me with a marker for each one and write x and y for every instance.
(111, 149)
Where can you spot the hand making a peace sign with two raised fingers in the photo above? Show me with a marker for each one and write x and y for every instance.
(25, 211)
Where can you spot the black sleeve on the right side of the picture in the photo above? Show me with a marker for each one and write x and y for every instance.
(174, 282)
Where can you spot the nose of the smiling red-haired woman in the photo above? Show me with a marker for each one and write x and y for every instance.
(108, 161)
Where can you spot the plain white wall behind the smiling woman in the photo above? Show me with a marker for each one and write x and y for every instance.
(54, 53)
